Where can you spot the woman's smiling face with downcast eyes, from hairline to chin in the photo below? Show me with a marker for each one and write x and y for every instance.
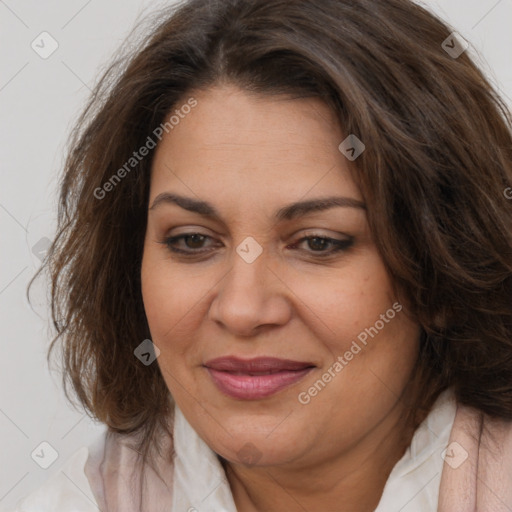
(248, 284)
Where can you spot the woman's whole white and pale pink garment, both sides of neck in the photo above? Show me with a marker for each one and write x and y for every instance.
(475, 477)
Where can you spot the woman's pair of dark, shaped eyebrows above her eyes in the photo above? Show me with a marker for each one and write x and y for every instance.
(288, 212)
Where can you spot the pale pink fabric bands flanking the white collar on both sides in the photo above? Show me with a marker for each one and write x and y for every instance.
(476, 475)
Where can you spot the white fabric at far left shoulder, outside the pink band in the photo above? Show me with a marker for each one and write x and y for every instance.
(68, 489)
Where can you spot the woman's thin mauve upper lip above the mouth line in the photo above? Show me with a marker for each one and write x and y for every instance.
(257, 364)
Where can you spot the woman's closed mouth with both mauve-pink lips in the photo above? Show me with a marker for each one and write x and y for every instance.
(254, 379)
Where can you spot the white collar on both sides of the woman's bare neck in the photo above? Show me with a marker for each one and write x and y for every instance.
(200, 482)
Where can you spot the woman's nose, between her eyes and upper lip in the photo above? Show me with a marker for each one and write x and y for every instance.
(250, 298)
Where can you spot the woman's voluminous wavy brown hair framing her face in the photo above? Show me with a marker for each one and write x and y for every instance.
(437, 160)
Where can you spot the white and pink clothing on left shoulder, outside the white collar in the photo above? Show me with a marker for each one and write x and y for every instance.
(107, 475)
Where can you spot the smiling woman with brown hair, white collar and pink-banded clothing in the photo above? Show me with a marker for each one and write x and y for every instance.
(283, 272)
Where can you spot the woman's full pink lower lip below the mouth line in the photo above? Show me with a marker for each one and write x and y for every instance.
(254, 387)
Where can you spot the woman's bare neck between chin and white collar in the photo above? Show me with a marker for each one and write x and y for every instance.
(352, 479)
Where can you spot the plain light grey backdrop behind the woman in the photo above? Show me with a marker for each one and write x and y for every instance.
(39, 100)
